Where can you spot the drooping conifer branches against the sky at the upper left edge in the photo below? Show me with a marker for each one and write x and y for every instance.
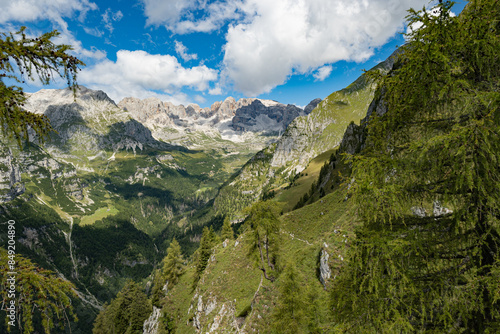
(34, 58)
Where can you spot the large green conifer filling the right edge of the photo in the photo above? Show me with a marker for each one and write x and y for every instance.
(426, 258)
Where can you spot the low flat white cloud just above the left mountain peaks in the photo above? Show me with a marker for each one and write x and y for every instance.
(138, 73)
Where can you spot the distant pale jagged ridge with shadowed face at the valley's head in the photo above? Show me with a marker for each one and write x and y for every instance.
(242, 120)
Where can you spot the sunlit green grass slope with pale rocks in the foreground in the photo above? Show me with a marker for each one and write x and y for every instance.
(232, 295)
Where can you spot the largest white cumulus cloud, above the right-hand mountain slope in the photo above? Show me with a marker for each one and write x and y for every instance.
(283, 37)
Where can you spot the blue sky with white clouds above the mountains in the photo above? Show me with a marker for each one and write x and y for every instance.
(202, 51)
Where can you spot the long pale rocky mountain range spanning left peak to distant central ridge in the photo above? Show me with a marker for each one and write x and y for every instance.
(255, 122)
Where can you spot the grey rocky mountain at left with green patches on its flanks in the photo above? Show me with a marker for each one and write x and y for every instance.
(91, 121)
